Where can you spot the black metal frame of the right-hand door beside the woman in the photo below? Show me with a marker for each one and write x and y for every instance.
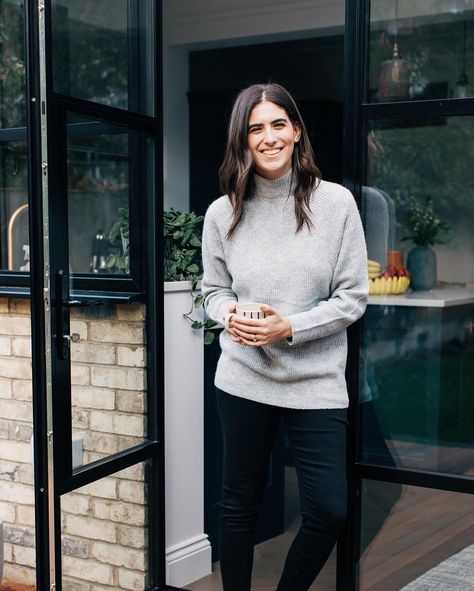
(357, 113)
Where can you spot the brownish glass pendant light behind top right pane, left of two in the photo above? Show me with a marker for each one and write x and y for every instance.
(394, 77)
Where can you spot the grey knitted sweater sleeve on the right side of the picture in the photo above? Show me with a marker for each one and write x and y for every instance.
(349, 288)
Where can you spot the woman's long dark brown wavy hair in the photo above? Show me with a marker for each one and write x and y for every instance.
(235, 173)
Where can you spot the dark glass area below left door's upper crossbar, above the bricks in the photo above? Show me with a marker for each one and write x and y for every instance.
(98, 190)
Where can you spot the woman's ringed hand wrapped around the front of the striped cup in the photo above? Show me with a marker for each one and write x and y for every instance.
(255, 333)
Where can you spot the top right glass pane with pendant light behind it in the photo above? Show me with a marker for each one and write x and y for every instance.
(420, 50)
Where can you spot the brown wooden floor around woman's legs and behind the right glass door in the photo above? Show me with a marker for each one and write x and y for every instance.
(407, 531)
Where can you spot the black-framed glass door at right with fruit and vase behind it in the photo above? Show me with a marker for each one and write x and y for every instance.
(408, 149)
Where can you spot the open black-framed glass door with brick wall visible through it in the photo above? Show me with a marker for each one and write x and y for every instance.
(95, 212)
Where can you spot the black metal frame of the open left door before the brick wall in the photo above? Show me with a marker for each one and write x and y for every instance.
(52, 457)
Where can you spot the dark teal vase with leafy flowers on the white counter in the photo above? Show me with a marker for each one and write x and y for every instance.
(425, 227)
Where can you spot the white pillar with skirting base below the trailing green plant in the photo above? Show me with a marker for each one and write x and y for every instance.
(188, 552)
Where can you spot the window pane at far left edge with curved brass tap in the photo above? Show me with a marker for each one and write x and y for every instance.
(14, 238)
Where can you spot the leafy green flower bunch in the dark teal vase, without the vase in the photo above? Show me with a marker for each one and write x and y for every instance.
(424, 224)
